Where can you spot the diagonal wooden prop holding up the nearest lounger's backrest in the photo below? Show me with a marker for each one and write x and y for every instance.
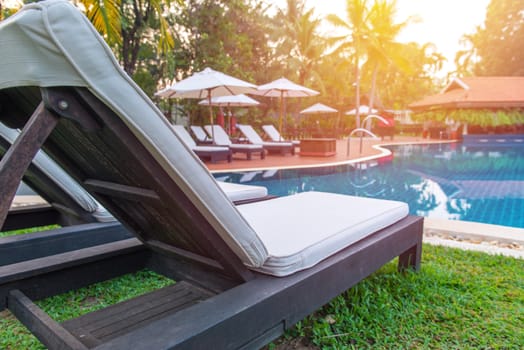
(17, 159)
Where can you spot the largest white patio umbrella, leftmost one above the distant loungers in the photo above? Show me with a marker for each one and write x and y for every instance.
(207, 84)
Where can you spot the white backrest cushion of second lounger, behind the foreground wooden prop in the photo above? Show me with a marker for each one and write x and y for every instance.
(56, 186)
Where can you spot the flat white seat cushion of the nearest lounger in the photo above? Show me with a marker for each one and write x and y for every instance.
(298, 231)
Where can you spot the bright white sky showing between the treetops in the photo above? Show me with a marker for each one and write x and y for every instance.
(442, 22)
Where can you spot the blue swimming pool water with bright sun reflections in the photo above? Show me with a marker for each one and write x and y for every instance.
(481, 183)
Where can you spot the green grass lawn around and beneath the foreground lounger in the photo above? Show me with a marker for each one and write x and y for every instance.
(458, 300)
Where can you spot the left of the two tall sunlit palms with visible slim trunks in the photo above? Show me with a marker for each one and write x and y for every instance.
(357, 25)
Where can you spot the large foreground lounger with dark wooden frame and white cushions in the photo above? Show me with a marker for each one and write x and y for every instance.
(241, 279)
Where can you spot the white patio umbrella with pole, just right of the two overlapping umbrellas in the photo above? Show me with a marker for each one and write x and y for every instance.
(283, 88)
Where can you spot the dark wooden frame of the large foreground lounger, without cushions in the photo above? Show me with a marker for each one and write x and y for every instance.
(227, 306)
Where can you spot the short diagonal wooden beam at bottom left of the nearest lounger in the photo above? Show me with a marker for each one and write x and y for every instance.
(50, 332)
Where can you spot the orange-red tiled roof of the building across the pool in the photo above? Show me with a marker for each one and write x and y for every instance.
(477, 92)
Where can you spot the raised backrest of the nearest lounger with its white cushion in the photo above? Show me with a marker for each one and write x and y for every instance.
(120, 147)
